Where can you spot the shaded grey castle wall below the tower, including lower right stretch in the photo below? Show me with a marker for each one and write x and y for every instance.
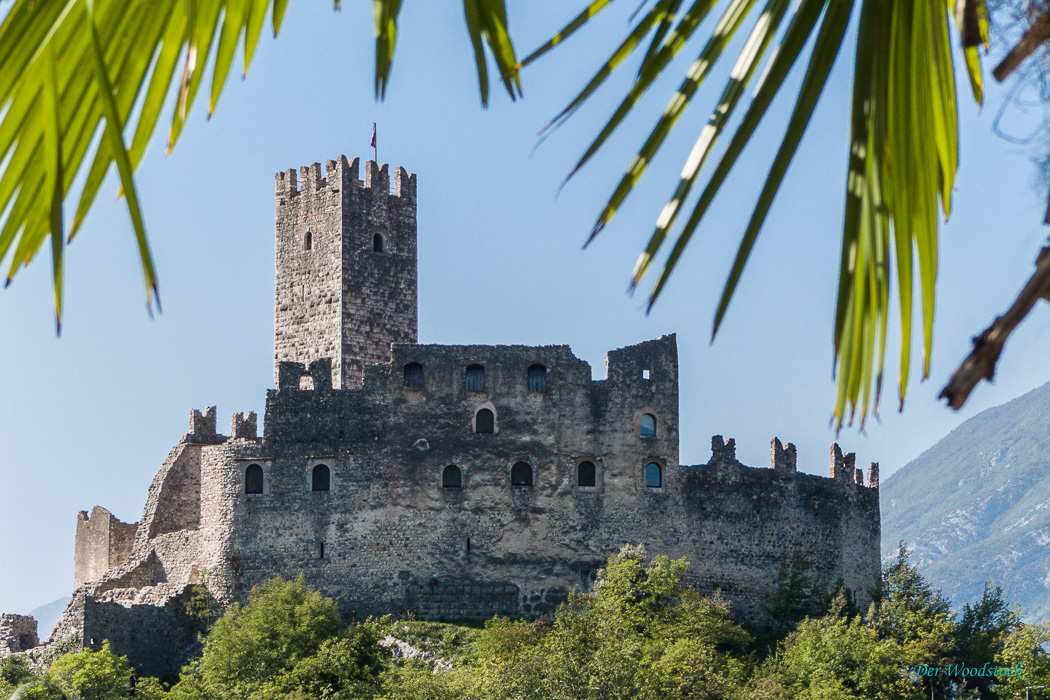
(388, 532)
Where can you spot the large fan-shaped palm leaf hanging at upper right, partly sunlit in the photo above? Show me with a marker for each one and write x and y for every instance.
(904, 157)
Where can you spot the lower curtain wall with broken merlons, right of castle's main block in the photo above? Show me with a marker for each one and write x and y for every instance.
(743, 524)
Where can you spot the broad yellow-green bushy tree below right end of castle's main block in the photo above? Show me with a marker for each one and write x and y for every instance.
(643, 634)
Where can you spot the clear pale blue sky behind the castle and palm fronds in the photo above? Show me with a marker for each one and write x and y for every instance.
(88, 419)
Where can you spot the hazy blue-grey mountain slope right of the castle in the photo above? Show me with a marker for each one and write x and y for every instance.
(977, 506)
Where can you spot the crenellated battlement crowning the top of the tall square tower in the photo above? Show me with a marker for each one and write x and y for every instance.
(343, 174)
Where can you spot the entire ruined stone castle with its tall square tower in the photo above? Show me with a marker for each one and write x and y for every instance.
(450, 481)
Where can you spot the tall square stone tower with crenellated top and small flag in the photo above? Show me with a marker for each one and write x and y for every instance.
(346, 267)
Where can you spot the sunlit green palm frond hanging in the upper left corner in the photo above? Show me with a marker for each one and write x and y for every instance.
(135, 53)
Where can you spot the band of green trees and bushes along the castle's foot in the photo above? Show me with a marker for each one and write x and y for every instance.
(642, 634)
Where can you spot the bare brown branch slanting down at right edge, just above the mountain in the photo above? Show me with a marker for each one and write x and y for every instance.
(981, 363)
